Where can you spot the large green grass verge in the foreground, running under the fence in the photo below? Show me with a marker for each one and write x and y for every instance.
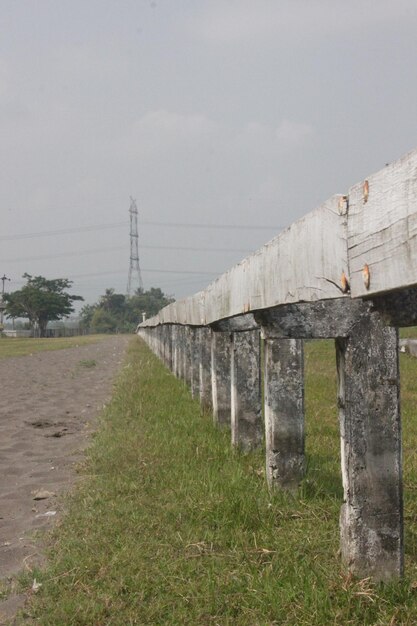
(170, 526)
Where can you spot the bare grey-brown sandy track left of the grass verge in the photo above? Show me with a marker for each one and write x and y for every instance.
(48, 405)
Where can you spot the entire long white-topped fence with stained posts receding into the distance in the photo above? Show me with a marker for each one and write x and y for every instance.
(348, 271)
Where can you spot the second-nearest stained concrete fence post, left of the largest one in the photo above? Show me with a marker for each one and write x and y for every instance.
(284, 412)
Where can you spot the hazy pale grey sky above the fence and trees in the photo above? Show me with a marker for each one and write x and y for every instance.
(216, 112)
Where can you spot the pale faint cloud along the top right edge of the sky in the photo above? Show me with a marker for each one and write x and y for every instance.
(244, 20)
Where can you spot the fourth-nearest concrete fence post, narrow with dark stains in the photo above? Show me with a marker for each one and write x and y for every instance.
(220, 377)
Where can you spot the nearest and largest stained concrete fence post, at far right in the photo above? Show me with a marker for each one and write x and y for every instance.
(371, 519)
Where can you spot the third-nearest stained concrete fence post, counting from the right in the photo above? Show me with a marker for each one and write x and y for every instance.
(246, 412)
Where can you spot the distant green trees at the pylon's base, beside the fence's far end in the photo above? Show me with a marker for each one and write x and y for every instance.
(115, 312)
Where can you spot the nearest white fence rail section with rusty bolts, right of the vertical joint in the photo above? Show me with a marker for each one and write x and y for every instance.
(382, 228)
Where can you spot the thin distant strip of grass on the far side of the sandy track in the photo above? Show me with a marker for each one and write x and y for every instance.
(25, 346)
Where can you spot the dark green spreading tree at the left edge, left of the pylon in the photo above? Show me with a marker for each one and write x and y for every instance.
(41, 301)
